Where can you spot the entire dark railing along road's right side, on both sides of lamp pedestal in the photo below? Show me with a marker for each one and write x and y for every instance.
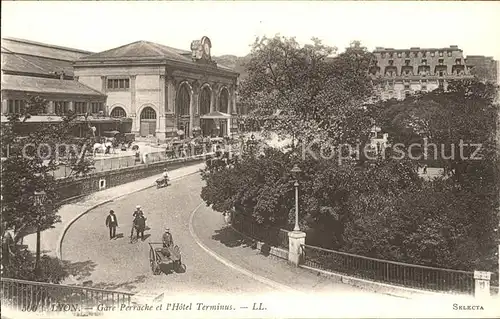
(373, 269)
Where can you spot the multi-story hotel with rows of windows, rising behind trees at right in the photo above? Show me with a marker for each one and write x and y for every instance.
(404, 72)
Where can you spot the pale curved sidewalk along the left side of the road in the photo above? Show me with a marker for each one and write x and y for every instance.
(51, 238)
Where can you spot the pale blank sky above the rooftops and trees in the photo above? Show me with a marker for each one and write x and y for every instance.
(233, 26)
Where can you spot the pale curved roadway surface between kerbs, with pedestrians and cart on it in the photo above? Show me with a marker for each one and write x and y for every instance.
(118, 264)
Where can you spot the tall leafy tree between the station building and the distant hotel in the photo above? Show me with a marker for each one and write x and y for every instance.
(305, 93)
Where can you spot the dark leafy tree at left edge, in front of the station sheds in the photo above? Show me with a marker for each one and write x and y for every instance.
(27, 166)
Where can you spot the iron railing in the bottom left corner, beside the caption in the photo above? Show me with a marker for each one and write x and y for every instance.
(34, 296)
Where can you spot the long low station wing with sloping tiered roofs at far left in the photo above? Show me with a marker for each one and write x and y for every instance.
(38, 69)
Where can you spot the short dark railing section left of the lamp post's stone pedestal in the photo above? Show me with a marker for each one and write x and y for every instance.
(272, 236)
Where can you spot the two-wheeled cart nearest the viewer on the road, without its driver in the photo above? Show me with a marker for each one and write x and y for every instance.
(167, 257)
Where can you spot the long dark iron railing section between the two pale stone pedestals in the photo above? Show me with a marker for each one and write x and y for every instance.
(391, 272)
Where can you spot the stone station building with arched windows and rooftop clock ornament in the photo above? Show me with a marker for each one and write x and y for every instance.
(166, 92)
